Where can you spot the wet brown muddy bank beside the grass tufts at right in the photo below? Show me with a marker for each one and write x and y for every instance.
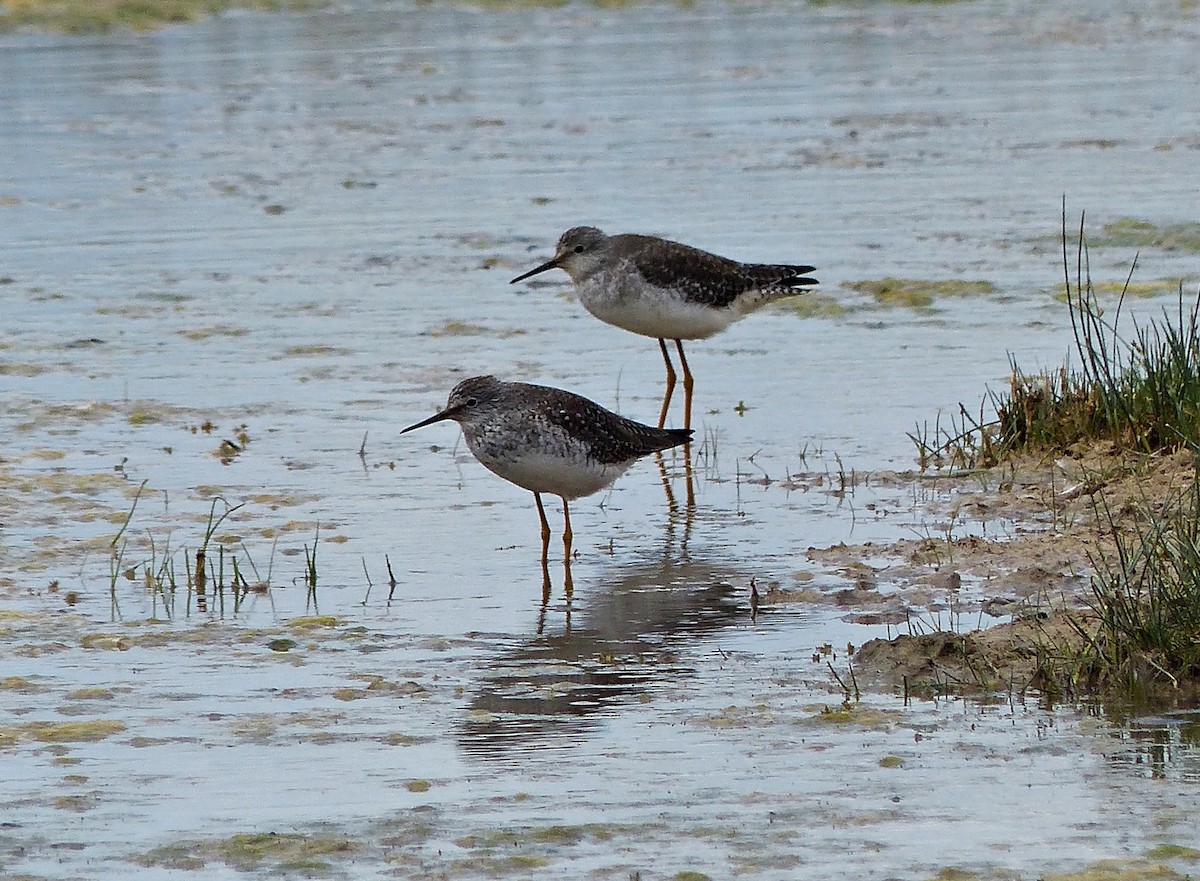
(1013, 612)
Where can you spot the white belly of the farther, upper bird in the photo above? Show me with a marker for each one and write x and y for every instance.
(653, 311)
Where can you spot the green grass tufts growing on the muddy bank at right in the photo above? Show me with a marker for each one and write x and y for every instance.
(1136, 395)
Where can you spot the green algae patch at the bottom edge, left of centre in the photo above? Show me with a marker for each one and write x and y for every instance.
(253, 852)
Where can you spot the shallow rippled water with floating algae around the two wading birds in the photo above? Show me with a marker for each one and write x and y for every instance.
(296, 233)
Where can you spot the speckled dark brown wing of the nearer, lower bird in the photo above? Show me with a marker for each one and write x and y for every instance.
(610, 439)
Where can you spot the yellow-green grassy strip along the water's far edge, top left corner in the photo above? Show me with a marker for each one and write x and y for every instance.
(91, 16)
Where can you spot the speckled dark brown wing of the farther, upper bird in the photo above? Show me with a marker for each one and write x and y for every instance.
(710, 279)
